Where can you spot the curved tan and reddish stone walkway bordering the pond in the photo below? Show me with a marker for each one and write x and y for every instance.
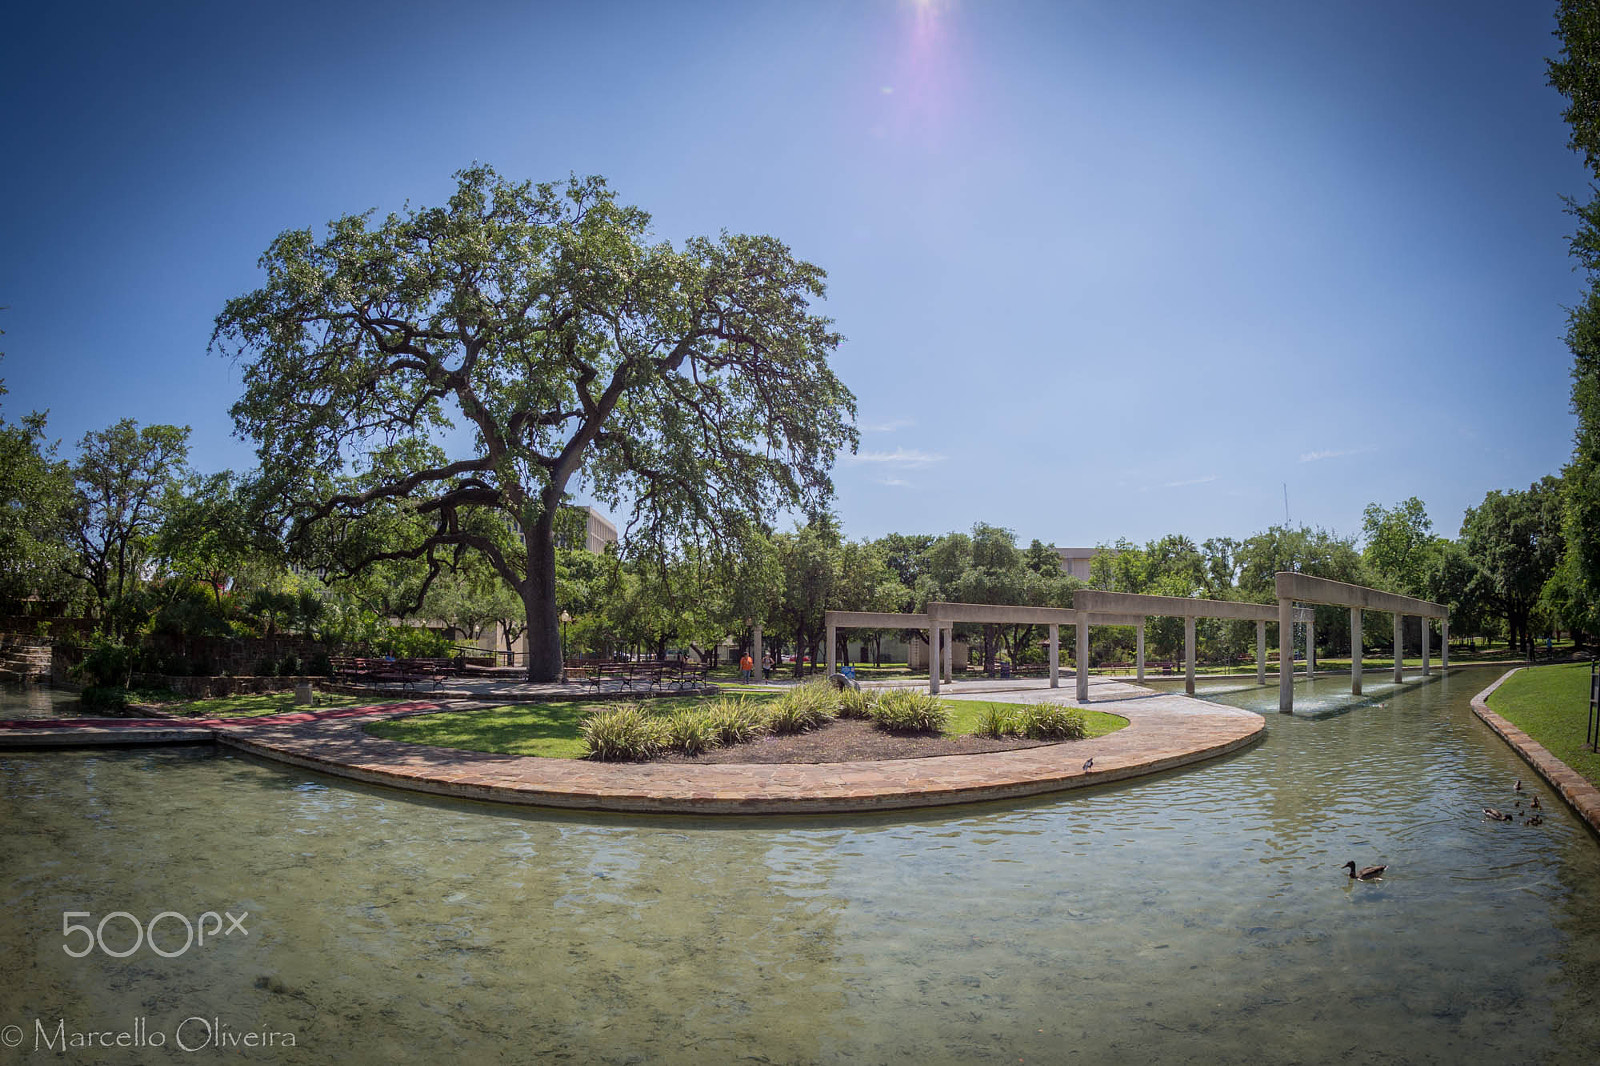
(1164, 732)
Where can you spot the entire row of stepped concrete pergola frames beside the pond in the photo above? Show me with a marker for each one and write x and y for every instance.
(1092, 607)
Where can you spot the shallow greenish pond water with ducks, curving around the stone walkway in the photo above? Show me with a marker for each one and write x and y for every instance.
(1199, 916)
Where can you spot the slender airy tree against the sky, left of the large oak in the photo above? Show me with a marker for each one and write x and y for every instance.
(124, 478)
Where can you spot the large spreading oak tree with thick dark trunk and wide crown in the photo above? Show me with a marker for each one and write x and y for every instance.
(690, 385)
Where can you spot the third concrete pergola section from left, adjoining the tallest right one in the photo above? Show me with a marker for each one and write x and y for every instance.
(1095, 606)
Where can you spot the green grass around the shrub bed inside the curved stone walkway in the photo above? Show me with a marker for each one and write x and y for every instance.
(551, 729)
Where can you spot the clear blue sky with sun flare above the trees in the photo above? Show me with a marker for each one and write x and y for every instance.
(1105, 268)
